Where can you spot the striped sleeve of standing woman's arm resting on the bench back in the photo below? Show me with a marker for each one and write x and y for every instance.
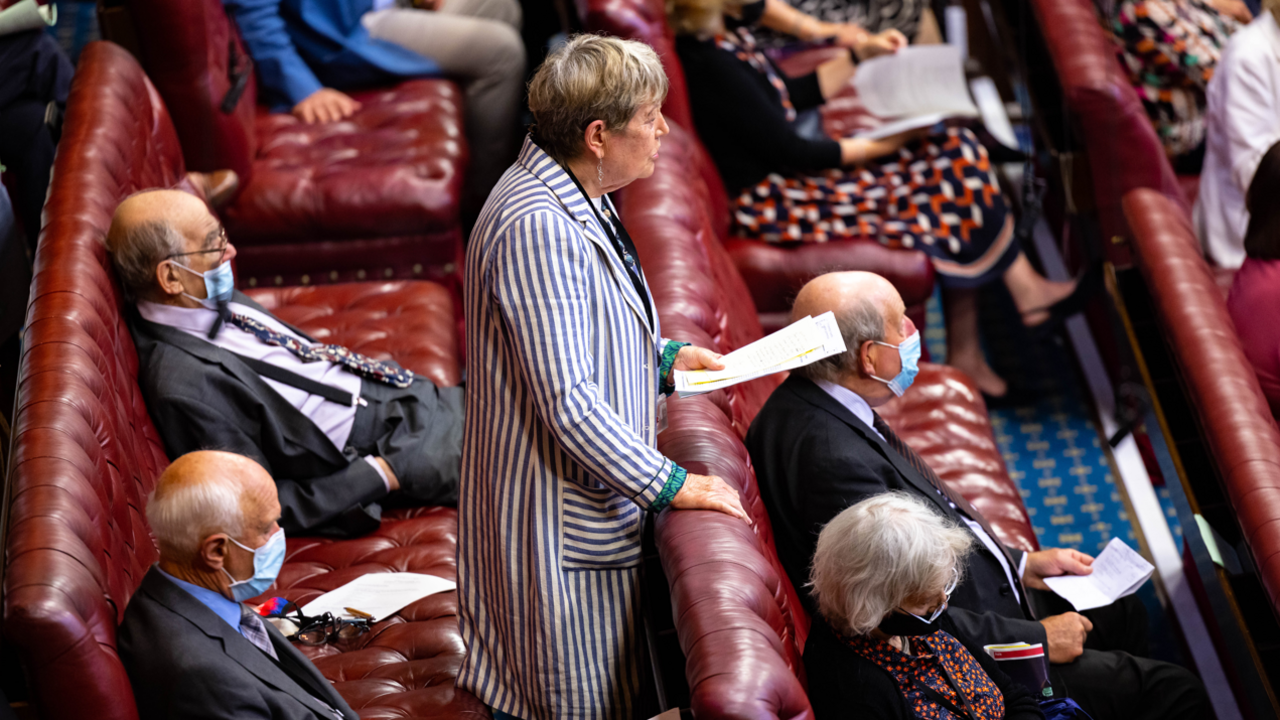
(545, 299)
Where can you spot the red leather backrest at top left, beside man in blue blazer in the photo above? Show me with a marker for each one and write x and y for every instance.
(188, 49)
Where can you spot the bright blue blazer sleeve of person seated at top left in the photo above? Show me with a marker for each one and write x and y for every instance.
(280, 67)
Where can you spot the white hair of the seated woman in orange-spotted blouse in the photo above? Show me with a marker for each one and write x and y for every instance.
(883, 553)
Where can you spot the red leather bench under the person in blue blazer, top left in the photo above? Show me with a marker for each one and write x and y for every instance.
(372, 198)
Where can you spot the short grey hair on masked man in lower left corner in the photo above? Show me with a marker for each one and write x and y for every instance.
(186, 516)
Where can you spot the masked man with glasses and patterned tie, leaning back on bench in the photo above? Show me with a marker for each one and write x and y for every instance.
(340, 432)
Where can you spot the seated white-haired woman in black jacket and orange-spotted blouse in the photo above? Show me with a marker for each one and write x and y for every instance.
(885, 648)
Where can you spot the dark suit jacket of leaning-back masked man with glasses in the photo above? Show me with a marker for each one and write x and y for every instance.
(204, 398)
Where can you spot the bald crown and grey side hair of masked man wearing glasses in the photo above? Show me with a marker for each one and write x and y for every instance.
(153, 226)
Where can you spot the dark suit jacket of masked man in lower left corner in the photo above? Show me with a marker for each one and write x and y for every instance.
(186, 663)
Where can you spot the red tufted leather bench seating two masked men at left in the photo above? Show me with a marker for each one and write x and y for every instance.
(86, 455)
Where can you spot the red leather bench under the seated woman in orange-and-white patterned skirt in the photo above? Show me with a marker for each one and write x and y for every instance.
(774, 274)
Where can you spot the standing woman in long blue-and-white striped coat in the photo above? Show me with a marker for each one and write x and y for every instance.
(569, 370)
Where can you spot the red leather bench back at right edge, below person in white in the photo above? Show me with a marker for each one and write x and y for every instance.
(1233, 412)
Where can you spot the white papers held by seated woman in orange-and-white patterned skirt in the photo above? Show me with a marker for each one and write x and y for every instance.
(916, 88)
